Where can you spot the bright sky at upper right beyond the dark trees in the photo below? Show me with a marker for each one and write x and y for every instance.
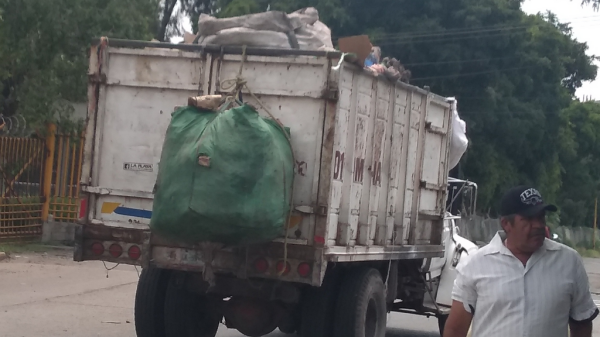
(585, 23)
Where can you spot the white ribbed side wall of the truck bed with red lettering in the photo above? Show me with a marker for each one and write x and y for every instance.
(389, 164)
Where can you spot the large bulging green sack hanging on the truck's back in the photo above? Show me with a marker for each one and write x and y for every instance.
(223, 177)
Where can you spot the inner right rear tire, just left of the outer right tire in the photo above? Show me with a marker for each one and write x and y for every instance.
(318, 306)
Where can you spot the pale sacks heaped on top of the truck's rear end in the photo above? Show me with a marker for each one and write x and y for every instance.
(273, 29)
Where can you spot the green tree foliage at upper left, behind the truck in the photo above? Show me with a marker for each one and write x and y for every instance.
(44, 49)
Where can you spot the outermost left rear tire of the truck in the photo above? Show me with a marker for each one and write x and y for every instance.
(150, 302)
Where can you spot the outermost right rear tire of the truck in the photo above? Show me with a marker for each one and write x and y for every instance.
(361, 309)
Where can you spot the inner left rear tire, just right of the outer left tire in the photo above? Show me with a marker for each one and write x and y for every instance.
(188, 314)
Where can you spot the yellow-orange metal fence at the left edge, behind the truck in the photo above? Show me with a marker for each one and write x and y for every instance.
(39, 181)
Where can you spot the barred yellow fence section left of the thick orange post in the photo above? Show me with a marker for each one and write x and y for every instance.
(21, 193)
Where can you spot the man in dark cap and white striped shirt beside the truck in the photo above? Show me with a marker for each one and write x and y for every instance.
(522, 284)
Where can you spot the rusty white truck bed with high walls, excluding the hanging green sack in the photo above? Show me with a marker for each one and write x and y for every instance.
(371, 155)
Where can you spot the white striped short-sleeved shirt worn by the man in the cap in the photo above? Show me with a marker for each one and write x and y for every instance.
(536, 300)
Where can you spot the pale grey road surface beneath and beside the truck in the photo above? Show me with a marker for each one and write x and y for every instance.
(47, 294)
